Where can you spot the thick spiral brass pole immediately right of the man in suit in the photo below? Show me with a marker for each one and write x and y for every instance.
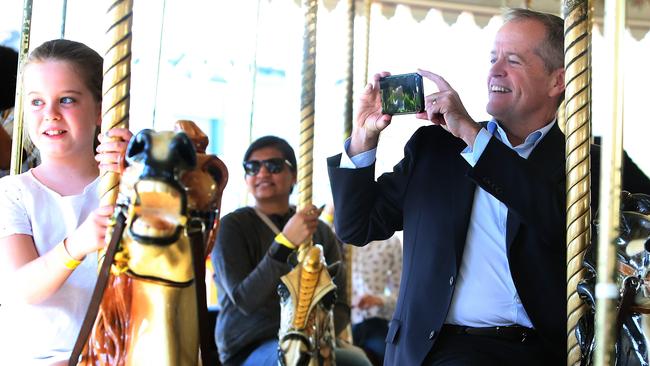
(577, 116)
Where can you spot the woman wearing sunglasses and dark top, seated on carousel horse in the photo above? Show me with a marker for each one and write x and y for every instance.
(252, 252)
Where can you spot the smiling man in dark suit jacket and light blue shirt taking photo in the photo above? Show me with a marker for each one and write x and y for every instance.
(482, 207)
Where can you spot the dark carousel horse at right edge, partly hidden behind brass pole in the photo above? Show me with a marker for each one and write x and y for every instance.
(633, 280)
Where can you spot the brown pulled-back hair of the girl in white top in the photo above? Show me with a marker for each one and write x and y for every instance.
(87, 63)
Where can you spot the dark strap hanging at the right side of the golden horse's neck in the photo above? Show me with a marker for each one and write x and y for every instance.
(195, 233)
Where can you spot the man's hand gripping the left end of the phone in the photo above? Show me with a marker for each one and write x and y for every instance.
(370, 120)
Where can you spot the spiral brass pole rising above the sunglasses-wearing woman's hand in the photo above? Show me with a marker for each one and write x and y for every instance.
(305, 150)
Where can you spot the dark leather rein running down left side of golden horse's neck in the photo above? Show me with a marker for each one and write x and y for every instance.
(98, 292)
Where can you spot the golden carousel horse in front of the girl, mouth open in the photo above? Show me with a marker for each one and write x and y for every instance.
(149, 308)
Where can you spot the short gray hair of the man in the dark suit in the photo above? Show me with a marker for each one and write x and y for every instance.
(551, 50)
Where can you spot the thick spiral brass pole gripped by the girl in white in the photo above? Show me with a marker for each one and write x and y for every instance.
(116, 87)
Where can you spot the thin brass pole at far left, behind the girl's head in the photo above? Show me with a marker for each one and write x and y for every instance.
(18, 131)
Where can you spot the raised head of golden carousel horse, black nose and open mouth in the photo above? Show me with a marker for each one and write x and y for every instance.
(154, 245)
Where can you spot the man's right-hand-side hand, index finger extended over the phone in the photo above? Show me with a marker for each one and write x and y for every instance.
(445, 108)
